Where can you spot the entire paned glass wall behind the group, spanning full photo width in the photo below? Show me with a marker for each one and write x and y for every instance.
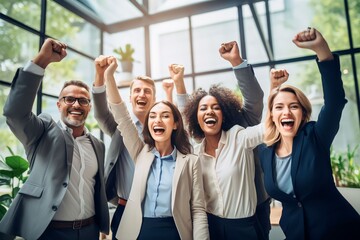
(194, 42)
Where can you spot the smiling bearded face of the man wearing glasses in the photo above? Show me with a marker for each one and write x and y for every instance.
(74, 115)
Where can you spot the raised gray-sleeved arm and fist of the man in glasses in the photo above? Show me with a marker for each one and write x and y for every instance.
(26, 126)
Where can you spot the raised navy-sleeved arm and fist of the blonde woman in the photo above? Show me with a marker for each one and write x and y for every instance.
(329, 117)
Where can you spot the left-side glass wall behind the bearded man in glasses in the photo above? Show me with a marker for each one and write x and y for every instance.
(21, 35)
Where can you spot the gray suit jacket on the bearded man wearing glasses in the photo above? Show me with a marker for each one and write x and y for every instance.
(49, 149)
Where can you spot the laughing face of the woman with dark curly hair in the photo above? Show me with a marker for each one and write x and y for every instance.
(209, 116)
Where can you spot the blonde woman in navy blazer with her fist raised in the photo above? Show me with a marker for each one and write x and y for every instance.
(296, 162)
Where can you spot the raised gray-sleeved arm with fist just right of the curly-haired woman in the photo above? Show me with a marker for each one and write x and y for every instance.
(248, 84)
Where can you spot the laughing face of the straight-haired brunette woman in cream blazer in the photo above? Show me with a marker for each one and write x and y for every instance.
(161, 123)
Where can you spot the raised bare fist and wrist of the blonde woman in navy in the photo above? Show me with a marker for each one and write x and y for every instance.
(313, 40)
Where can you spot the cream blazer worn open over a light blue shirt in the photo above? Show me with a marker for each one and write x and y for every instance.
(187, 199)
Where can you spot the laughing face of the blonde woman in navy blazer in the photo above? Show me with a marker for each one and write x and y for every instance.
(287, 114)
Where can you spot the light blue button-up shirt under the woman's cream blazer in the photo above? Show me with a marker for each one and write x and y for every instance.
(157, 202)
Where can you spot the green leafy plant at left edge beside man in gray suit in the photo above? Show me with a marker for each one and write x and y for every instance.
(13, 174)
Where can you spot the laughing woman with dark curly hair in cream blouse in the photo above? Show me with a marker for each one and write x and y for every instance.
(227, 159)
